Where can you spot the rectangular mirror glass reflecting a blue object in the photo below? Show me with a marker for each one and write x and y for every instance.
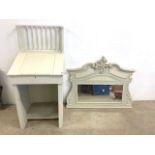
(100, 93)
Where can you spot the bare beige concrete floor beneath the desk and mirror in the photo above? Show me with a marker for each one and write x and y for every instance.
(138, 120)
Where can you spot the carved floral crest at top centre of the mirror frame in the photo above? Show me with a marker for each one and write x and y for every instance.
(101, 65)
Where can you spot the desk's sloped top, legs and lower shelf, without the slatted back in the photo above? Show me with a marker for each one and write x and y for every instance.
(37, 68)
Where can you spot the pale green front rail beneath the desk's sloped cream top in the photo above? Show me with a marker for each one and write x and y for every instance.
(19, 80)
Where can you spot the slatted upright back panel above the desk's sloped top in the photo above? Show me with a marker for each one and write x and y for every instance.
(32, 37)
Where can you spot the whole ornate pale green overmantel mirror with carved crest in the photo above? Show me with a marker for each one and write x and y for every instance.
(99, 85)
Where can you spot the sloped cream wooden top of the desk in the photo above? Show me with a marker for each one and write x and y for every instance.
(37, 63)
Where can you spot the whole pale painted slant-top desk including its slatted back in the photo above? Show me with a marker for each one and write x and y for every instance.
(37, 73)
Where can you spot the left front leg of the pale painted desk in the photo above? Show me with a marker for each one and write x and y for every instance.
(21, 111)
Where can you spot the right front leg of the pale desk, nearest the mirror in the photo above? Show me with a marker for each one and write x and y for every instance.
(60, 105)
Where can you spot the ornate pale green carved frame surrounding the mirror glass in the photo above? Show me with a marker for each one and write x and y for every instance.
(99, 73)
